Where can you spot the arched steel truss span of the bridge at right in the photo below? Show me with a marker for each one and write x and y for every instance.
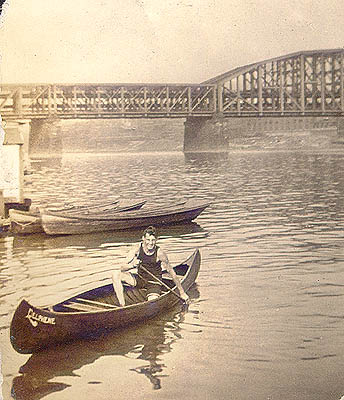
(307, 83)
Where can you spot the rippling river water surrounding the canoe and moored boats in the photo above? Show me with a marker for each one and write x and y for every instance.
(266, 319)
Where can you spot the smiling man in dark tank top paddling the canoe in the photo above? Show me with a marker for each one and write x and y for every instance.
(150, 260)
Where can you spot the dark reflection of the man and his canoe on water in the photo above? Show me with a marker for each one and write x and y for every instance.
(144, 342)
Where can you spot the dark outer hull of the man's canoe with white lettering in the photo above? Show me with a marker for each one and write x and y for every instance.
(33, 329)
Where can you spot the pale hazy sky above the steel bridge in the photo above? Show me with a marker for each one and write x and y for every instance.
(157, 40)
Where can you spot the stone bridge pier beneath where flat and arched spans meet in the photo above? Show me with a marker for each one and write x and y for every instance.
(205, 134)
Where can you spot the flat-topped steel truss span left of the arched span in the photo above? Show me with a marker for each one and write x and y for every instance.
(106, 100)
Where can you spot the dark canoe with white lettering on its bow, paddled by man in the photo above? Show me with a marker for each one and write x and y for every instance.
(93, 312)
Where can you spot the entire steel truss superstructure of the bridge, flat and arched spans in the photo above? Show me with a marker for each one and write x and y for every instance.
(299, 84)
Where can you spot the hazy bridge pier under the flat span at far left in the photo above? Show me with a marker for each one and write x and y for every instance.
(45, 137)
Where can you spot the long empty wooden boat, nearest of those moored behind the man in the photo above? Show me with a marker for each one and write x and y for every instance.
(54, 224)
